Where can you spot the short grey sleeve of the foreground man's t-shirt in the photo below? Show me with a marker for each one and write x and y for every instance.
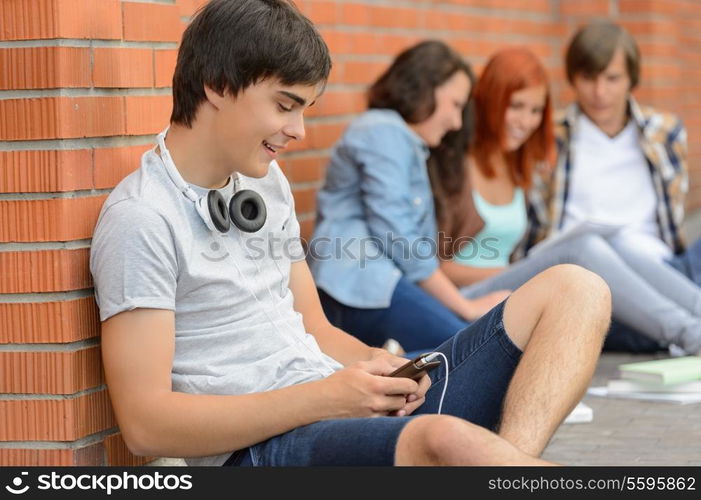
(133, 260)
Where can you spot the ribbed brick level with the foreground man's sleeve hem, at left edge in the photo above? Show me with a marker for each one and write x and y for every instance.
(49, 322)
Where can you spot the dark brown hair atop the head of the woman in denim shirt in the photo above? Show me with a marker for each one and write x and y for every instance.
(408, 85)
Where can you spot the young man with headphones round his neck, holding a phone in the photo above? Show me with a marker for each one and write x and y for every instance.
(215, 353)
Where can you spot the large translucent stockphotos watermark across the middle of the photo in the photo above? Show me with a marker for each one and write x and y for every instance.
(361, 250)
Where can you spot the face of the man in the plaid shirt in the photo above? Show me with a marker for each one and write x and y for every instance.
(604, 97)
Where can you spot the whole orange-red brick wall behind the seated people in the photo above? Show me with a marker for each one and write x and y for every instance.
(84, 85)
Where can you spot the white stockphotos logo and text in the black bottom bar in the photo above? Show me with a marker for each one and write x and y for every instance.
(107, 483)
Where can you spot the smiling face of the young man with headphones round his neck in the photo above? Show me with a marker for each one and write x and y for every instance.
(252, 128)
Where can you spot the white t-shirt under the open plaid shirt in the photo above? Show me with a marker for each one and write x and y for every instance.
(611, 182)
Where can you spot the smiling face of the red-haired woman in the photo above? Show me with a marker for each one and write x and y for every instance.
(524, 114)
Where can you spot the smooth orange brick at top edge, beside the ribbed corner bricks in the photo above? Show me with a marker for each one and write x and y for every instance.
(151, 22)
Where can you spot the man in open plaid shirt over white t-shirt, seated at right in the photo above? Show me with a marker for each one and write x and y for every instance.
(617, 162)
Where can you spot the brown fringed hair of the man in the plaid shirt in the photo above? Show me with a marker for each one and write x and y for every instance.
(593, 47)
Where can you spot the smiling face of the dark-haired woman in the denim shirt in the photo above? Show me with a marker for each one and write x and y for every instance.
(450, 98)
